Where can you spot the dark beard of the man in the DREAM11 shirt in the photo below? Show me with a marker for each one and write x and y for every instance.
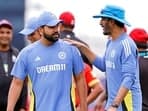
(52, 38)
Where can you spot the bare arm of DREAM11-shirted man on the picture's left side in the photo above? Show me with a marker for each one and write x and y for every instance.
(14, 93)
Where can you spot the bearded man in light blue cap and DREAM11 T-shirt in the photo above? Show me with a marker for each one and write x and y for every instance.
(50, 63)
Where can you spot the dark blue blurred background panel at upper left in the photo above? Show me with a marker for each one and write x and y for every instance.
(13, 10)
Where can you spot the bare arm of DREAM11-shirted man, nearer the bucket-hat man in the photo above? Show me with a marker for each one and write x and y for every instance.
(82, 91)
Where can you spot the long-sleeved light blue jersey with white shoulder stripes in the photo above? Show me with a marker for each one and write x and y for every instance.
(121, 66)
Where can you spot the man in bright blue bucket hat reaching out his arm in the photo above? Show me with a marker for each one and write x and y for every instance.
(120, 62)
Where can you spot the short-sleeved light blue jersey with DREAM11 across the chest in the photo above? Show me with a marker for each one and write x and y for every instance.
(50, 69)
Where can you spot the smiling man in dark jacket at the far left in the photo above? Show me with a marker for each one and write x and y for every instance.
(8, 55)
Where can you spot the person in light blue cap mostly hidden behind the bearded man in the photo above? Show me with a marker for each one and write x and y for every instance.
(32, 32)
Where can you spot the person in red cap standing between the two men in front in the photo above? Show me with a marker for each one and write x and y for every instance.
(93, 85)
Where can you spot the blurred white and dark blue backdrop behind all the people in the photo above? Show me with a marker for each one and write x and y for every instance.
(87, 28)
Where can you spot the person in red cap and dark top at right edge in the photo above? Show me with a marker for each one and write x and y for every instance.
(140, 36)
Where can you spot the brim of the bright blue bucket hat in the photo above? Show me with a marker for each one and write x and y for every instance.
(120, 20)
